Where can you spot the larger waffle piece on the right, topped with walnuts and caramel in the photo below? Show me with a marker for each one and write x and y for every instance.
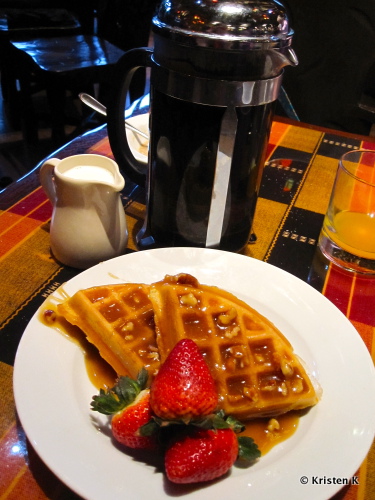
(254, 366)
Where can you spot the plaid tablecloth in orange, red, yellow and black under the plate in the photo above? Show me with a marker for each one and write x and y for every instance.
(295, 190)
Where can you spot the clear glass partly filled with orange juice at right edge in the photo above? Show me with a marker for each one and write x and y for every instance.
(348, 234)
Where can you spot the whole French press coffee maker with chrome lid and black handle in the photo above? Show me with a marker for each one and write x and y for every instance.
(216, 71)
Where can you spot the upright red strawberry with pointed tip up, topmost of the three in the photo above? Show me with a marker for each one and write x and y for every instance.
(183, 388)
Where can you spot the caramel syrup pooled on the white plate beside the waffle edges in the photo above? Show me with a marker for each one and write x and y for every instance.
(102, 376)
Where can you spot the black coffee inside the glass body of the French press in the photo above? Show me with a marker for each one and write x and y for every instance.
(184, 145)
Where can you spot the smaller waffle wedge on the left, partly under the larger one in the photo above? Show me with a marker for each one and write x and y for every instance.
(119, 321)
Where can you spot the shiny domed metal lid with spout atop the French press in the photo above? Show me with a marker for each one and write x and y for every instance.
(243, 39)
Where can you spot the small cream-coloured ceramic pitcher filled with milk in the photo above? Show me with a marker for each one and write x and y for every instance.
(88, 222)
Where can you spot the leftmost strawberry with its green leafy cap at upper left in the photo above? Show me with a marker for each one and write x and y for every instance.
(129, 404)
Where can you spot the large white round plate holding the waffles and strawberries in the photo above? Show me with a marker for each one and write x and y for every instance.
(53, 393)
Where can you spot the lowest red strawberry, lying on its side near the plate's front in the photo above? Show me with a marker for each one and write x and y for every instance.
(202, 455)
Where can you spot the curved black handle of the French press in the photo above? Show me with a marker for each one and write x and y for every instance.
(123, 73)
